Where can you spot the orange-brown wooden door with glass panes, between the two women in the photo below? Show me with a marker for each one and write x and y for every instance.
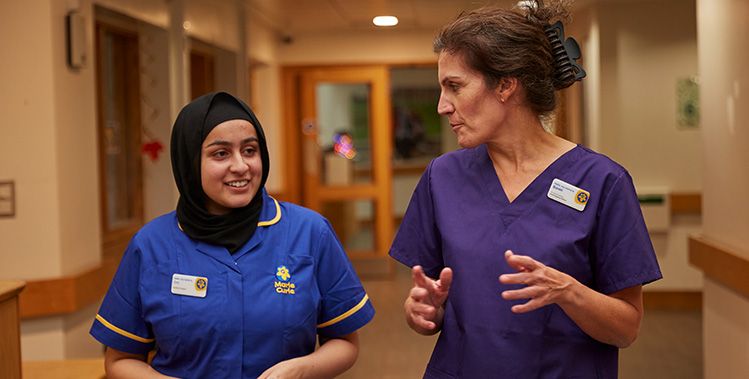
(345, 122)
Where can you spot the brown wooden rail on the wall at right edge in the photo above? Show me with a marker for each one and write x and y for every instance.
(720, 263)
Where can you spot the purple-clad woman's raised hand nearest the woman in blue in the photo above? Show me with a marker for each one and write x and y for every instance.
(425, 302)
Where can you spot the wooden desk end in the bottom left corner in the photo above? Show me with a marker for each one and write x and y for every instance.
(10, 335)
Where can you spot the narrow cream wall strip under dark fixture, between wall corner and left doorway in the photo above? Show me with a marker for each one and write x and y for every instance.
(76, 152)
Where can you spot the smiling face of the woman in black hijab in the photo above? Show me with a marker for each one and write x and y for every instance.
(231, 168)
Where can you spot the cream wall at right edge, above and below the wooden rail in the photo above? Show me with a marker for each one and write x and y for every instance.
(723, 58)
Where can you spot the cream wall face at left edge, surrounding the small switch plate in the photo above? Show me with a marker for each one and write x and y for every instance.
(30, 242)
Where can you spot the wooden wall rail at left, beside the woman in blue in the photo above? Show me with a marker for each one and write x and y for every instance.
(66, 295)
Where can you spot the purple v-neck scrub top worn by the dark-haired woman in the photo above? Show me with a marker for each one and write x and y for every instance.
(460, 217)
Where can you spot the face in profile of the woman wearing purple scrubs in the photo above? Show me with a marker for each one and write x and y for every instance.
(474, 111)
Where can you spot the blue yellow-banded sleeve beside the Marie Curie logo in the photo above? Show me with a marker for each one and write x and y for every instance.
(345, 305)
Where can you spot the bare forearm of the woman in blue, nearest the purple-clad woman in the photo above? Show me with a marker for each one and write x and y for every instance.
(334, 357)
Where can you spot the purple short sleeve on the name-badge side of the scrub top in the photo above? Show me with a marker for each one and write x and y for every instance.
(623, 253)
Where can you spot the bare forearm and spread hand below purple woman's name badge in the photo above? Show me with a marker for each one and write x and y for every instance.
(613, 319)
